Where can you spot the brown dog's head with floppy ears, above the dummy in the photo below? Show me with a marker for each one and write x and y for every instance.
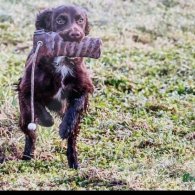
(70, 22)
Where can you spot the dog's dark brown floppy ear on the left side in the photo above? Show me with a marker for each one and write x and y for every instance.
(43, 20)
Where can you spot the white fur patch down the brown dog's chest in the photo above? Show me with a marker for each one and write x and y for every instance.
(64, 70)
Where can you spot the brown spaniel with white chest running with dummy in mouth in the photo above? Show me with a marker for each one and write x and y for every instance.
(61, 84)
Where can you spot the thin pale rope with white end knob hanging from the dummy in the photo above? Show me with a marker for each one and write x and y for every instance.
(32, 125)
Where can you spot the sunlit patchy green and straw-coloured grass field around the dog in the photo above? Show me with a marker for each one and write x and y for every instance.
(139, 131)
